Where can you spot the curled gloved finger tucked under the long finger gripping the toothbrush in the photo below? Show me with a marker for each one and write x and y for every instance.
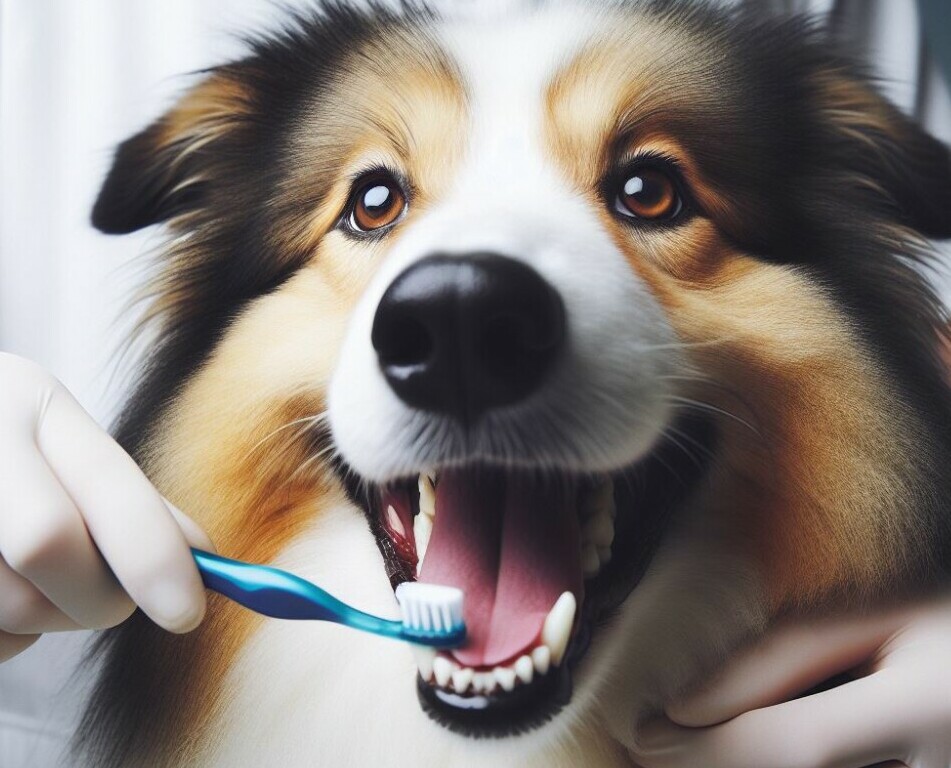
(44, 539)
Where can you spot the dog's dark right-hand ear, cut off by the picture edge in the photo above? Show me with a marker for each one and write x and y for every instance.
(886, 153)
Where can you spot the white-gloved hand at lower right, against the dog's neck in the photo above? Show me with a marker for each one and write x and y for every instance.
(897, 713)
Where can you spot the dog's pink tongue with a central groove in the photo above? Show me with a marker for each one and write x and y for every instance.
(511, 543)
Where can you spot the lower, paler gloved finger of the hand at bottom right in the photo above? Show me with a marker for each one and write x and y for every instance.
(852, 726)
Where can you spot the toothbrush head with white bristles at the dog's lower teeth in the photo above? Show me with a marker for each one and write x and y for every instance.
(432, 614)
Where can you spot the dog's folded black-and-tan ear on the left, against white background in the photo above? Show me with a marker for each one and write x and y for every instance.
(162, 171)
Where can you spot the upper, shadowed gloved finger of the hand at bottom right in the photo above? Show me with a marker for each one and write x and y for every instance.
(785, 663)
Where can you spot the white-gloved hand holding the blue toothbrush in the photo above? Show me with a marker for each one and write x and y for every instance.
(84, 537)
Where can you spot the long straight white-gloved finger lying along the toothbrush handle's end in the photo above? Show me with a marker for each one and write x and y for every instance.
(125, 515)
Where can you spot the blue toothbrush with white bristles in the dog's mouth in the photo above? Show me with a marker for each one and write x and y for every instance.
(432, 614)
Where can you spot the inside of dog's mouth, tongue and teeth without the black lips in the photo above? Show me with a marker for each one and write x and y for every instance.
(519, 547)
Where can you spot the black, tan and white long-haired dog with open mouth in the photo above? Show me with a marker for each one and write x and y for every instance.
(610, 315)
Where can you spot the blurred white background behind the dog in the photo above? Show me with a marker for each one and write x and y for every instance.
(78, 77)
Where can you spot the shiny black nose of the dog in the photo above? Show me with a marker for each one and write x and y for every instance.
(462, 334)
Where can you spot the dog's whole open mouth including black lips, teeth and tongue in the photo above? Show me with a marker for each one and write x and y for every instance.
(541, 557)
